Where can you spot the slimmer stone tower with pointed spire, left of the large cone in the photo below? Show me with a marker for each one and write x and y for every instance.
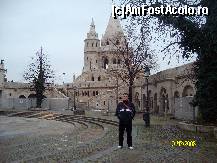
(91, 50)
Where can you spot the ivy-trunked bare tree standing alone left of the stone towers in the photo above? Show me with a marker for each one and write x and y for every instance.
(39, 74)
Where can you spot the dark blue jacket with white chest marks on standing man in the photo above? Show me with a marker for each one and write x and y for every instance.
(125, 113)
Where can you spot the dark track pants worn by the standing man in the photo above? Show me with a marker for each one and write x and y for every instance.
(128, 128)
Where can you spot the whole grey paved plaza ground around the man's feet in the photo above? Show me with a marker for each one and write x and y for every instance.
(40, 140)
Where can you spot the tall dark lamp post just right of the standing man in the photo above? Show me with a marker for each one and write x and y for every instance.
(146, 115)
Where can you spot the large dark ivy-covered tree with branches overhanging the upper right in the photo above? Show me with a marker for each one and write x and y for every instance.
(189, 36)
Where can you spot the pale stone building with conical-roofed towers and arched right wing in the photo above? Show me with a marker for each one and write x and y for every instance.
(98, 89)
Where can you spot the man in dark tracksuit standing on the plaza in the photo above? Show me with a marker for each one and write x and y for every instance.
(125, 112)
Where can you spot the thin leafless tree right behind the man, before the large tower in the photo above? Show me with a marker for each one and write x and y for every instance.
(133, 50)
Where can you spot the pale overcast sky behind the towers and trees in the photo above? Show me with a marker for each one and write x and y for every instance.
(59, 26)
